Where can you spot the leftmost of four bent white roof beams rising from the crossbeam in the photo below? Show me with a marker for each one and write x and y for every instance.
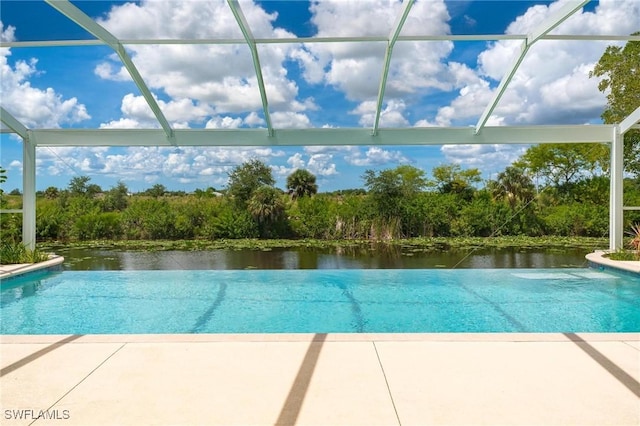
(81, 19)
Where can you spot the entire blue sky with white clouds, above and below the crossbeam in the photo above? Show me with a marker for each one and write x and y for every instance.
(313, 85)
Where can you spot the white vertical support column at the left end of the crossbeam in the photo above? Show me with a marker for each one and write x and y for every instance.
(28, 194)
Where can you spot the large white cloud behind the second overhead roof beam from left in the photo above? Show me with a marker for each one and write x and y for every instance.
(216, 79)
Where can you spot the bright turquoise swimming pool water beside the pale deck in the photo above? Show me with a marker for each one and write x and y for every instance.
(321, 301)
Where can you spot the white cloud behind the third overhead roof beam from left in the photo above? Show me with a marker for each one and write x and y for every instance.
(355, 69)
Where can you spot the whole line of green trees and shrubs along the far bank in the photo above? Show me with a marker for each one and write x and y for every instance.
(401, 202)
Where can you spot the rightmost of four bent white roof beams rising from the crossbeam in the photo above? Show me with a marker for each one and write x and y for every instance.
(568, 9)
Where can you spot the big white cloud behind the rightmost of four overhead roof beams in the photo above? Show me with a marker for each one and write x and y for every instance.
(551, 85)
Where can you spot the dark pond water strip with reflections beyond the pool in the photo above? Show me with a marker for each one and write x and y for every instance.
(306, 258)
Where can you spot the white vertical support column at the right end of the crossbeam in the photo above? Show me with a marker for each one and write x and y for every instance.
(615, 203)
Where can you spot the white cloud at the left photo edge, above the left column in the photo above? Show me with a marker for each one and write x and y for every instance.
(32, 106)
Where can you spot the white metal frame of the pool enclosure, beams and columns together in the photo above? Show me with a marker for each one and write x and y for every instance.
(166, 134)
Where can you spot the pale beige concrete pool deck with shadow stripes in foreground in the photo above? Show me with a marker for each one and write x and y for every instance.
(334, 379)
